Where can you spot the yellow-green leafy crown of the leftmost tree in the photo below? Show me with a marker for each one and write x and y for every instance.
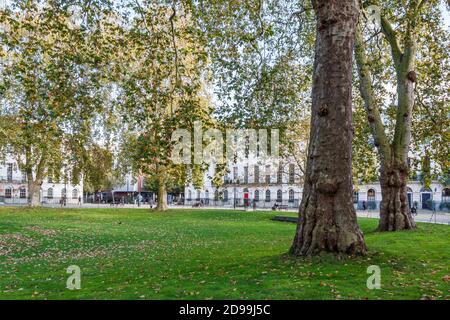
(51, 88)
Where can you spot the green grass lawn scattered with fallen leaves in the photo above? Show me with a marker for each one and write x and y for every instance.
(204, 254)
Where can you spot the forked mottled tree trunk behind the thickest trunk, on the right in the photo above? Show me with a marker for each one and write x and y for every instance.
(395, 213)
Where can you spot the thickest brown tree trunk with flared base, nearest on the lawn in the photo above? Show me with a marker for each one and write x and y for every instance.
(327, 216)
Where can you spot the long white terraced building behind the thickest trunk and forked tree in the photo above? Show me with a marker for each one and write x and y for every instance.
(261, 186)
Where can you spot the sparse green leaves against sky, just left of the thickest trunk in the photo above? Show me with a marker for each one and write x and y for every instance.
(261, 58)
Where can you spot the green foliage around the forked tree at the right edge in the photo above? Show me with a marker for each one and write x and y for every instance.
(418, 27)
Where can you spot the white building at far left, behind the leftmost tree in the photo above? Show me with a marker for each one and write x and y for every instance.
(14, 187)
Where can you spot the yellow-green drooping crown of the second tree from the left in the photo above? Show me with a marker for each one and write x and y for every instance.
(160, 76)
